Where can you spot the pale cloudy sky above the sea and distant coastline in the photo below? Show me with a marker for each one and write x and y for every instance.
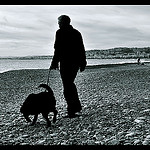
(30, 29)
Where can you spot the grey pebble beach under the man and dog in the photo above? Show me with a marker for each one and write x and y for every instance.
(115, 107)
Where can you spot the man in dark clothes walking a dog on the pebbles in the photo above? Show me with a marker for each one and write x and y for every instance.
(70, 53)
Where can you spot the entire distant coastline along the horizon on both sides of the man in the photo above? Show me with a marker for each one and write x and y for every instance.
(113, 53)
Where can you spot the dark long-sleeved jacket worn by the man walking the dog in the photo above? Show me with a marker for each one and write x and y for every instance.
(69, 48)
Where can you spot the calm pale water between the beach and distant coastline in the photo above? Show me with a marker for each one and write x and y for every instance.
(6, 64)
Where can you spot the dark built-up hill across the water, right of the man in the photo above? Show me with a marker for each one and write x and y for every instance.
(120, 52)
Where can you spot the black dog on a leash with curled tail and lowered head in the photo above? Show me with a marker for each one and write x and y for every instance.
(43, 102)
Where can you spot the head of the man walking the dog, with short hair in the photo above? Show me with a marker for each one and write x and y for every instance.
(63, 21)
